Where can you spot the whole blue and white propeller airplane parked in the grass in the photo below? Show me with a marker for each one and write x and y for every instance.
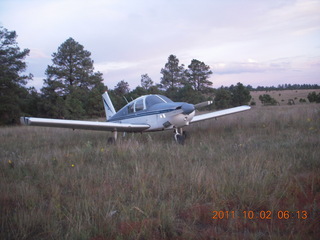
(148, 113)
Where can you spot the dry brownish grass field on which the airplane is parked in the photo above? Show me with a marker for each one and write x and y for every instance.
(253, 175)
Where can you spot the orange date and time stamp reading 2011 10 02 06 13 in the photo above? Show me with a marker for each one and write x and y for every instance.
(248, 214)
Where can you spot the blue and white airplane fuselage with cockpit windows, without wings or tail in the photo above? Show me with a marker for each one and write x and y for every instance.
(158, 111)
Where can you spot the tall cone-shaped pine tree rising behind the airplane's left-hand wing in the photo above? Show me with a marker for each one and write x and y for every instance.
(71, 87)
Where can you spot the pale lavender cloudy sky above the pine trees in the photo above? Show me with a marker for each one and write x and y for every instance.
(256, 42)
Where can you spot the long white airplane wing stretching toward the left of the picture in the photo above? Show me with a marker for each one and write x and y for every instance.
(88, 125)
